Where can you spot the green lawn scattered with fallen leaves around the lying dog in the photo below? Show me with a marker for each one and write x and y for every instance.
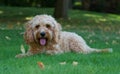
(100, 30)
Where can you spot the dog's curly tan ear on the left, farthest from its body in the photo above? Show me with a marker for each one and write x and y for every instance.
(28, 35)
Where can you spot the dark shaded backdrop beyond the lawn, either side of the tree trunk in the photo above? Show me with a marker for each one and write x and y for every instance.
(109, 6)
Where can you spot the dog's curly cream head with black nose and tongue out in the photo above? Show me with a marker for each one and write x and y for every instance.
(42, 29)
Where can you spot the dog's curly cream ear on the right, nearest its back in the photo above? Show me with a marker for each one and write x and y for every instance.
(57, 30)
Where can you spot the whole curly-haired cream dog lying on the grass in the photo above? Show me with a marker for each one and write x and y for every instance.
(43, 34)
